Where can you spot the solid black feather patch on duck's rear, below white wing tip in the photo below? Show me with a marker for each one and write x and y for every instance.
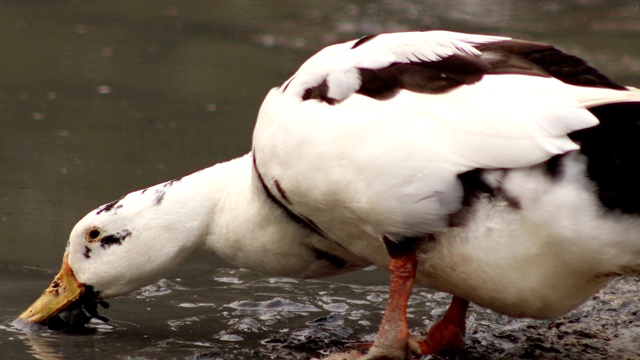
(612, 149)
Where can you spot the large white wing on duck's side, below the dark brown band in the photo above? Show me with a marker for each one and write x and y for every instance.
(398, 160)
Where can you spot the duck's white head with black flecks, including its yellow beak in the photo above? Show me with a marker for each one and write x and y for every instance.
(120, 247)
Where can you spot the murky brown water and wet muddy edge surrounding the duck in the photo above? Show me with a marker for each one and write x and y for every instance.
(98, 99)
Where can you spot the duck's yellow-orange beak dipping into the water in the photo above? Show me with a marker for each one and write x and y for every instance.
(64, 290)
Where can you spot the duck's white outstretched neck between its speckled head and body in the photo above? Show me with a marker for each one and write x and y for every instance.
(225, 209)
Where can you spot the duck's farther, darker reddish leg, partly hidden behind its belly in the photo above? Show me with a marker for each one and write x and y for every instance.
(448, 332)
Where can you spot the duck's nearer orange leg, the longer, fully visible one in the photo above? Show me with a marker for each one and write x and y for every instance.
(393, 339)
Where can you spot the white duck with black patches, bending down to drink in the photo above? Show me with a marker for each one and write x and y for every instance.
(501, 171)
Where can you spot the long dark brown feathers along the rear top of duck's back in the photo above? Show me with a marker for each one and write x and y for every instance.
(524, 57)
